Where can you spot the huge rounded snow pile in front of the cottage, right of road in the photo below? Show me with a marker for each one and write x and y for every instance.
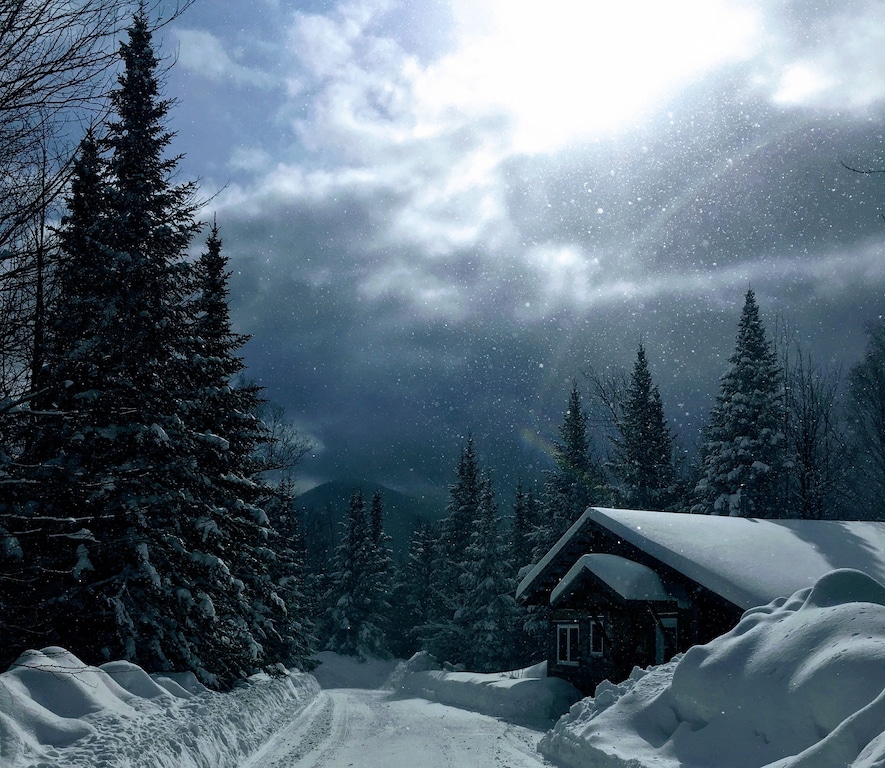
(799, 683)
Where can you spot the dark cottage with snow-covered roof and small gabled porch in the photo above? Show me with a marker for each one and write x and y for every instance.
(628, 587)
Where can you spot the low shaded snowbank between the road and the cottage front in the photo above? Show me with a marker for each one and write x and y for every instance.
(524, 695)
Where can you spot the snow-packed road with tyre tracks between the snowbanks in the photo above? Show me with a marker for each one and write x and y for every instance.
(351, 728)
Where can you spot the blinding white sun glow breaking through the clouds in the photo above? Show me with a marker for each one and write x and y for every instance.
(568, 70)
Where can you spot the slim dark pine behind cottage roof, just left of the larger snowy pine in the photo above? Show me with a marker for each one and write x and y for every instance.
(643, 461)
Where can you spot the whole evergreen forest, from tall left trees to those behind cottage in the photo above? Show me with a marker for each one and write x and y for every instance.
(146, 502)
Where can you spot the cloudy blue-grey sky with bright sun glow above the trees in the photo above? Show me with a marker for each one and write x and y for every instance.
(439, 213)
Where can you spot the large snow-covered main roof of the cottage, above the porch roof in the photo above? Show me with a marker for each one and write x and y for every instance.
(747, 561)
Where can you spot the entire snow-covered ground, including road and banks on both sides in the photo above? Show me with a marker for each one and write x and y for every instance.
(799, 683)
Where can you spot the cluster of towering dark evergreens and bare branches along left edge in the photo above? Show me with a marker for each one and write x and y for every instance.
(136, 520)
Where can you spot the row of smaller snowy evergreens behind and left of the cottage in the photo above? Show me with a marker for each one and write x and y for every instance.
(783, 441)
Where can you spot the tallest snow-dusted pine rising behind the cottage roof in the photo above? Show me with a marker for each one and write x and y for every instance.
(744, 449)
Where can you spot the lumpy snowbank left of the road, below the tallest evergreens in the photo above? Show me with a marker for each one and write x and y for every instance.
(57, 711)
